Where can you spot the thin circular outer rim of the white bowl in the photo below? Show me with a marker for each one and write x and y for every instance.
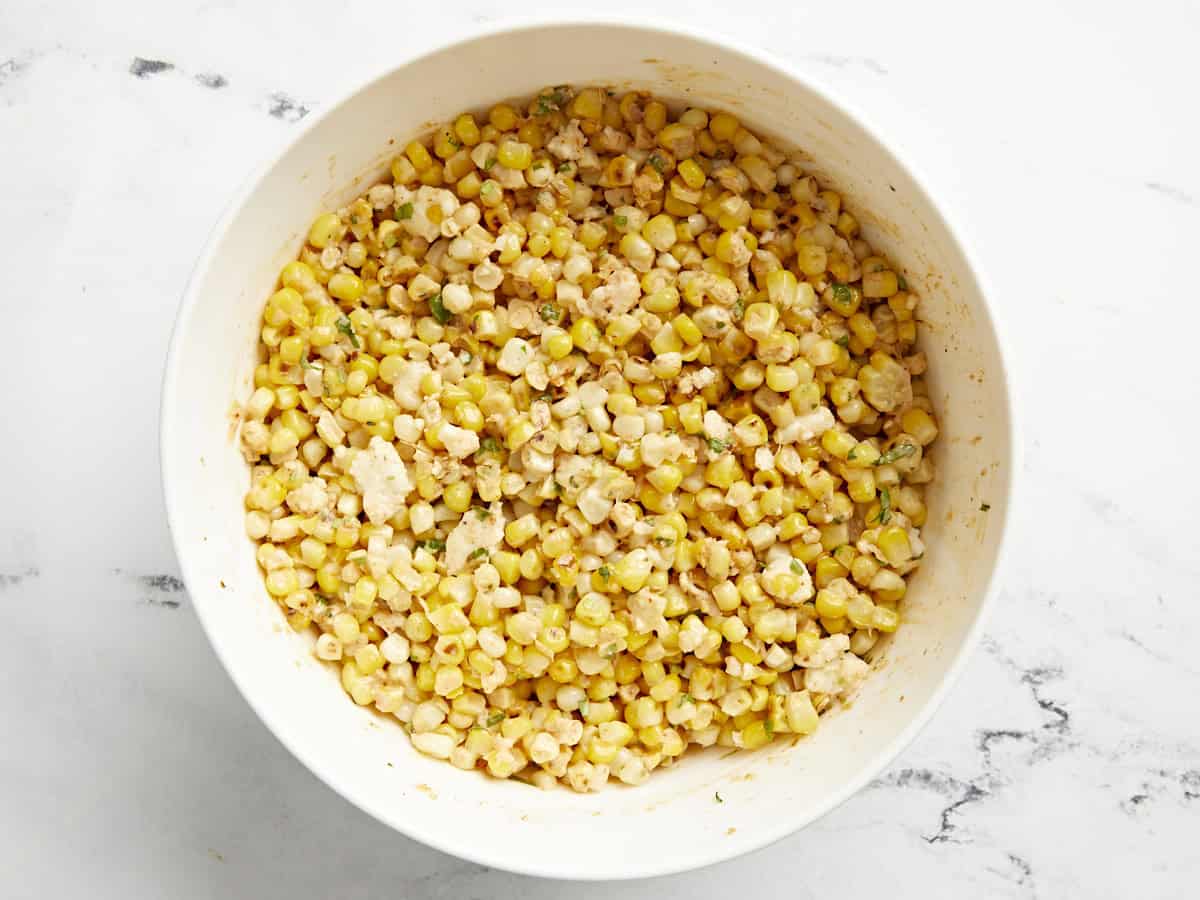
(577, 868)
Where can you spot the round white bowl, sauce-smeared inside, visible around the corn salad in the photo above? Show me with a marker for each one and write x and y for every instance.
(674, 821)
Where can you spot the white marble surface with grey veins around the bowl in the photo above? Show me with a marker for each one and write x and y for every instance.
(1066, 763)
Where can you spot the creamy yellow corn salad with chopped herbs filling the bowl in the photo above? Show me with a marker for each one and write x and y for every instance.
(591, 434)
